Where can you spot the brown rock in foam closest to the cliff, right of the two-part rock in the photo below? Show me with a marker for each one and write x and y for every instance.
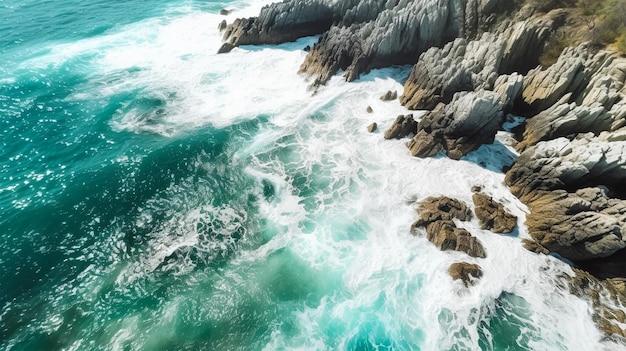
(492, 215)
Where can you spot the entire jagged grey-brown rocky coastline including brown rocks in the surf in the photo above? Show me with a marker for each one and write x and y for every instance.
(476, 62)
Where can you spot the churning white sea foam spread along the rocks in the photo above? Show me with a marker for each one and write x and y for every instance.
(355, 222)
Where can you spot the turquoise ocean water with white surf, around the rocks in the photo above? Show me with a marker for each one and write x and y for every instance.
(157, 196)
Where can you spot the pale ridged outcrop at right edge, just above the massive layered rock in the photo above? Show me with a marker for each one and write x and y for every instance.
(581, 93)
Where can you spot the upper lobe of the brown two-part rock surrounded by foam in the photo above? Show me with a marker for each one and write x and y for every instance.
(441, 208)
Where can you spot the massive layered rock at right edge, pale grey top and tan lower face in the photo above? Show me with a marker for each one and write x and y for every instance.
(584, 224)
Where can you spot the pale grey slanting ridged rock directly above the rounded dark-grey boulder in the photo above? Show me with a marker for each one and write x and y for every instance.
(463, 65)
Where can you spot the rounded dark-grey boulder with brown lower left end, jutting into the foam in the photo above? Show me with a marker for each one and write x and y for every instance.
(470, 120)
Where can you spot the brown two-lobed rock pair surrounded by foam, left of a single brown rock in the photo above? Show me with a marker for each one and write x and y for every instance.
(436, 215)
